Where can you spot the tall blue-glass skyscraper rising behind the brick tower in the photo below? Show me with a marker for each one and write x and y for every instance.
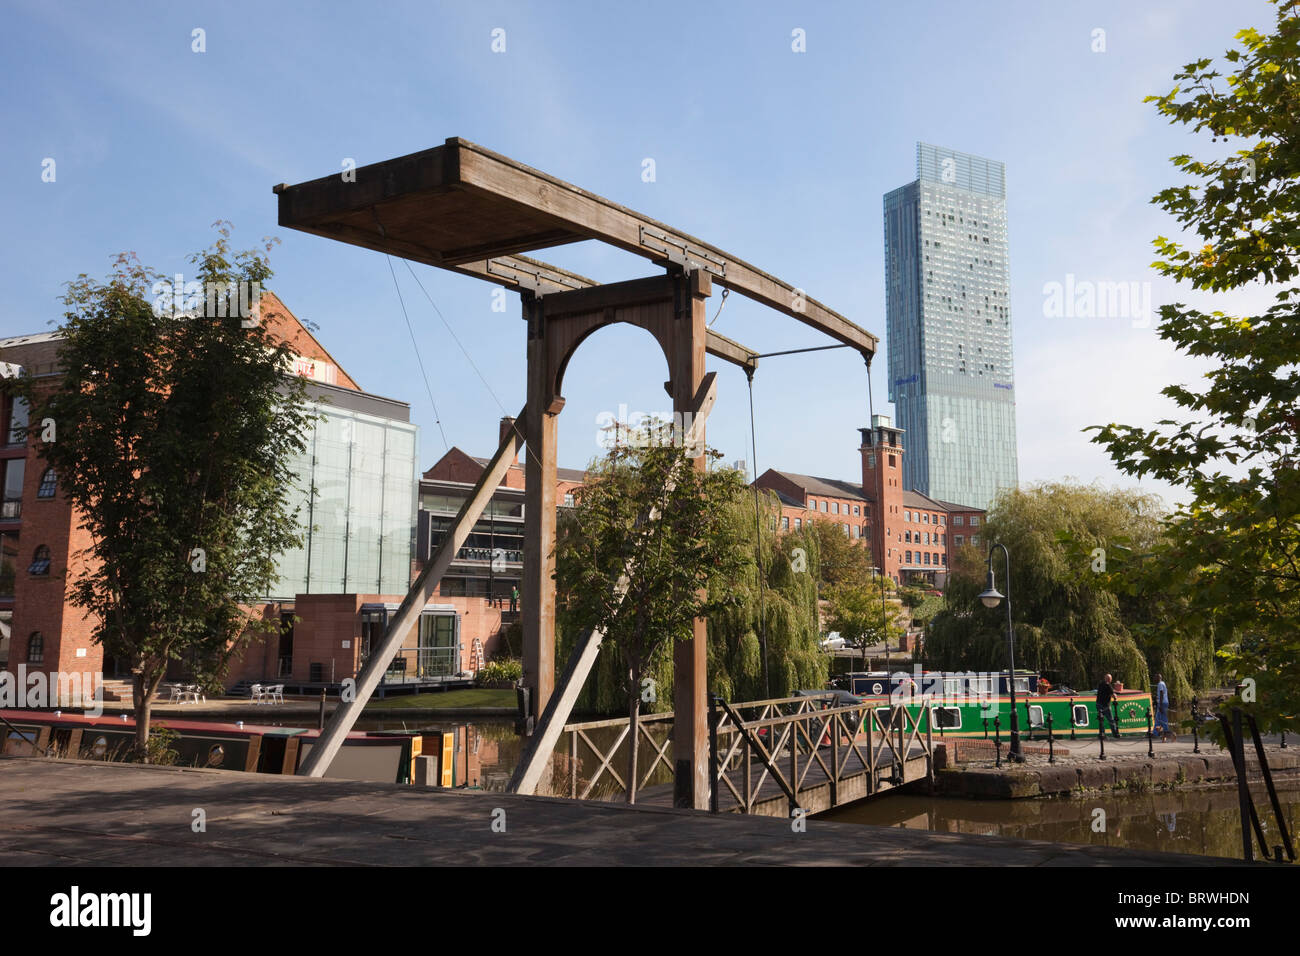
(950, 327)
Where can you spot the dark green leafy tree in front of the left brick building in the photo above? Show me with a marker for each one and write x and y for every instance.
(172, 440)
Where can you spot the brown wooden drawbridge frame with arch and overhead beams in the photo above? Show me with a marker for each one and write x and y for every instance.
(466, 209)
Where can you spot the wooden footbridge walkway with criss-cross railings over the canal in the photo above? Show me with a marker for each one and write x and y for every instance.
(769, 758)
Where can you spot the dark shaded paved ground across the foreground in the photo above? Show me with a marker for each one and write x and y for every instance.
(84, 814)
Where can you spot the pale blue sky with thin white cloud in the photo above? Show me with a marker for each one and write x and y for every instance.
(775, 157)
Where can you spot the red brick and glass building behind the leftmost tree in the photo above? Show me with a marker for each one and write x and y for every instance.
(361, 535)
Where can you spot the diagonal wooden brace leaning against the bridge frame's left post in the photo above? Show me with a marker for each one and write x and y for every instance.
(409, 615)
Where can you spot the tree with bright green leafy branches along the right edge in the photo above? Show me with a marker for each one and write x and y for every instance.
(1233, 548)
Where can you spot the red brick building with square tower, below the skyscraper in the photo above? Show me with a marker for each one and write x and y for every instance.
(912, 538)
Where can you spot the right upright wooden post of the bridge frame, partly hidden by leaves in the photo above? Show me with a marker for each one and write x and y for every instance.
(691, 672)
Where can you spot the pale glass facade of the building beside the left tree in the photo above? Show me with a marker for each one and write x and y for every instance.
(359, 527)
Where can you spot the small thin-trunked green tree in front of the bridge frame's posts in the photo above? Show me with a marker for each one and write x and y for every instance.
(645, 551)
